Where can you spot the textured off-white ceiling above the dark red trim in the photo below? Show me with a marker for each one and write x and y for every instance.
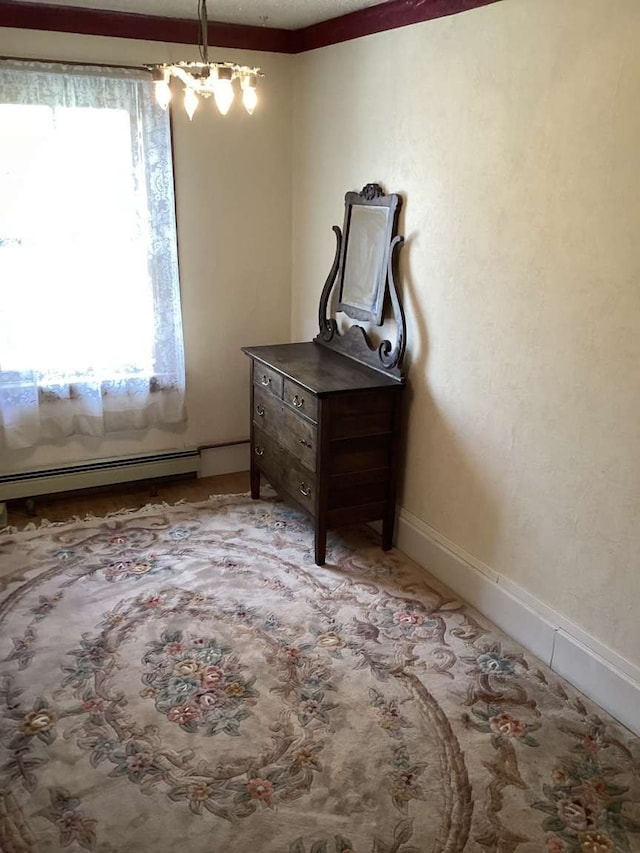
(287, 14)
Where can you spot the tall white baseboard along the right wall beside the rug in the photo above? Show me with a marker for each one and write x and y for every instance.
(597, 671)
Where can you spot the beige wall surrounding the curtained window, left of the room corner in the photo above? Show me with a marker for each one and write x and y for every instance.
(233, 199)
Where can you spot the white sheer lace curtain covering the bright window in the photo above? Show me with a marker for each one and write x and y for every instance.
(90, 325)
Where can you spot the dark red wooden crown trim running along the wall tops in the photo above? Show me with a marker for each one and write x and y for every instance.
(375, 19)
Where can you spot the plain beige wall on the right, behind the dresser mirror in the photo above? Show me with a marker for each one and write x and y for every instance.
(513, 133)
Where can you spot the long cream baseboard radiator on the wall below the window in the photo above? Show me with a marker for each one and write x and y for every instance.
(102, 472)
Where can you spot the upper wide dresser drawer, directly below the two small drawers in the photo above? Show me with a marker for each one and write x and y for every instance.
(284, 425)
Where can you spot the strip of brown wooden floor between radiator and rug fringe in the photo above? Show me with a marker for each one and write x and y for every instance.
(133, 495)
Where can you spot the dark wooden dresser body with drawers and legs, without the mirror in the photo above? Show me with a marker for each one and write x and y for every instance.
(324, 433)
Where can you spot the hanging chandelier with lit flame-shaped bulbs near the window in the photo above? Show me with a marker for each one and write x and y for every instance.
(205, 79)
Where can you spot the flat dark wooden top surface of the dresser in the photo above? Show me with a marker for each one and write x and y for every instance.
(319, 369)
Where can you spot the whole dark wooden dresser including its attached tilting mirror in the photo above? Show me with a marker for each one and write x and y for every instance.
(325, 413)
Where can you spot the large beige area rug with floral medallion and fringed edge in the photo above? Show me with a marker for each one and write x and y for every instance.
(186, 679)
